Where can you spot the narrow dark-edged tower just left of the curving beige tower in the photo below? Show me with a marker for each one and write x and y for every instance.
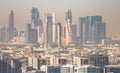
(59, 36)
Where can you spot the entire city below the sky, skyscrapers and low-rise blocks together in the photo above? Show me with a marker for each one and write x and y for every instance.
(47, 46)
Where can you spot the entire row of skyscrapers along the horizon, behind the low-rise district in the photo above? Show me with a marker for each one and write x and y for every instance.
(49, 33)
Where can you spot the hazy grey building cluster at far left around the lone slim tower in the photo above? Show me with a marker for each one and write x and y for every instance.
(8, 33)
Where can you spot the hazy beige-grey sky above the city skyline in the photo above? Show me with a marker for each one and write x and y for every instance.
(109, 9)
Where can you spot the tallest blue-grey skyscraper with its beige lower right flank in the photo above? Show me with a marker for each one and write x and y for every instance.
(37, 23)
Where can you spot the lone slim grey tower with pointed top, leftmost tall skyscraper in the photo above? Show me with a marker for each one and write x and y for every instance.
(11, 25)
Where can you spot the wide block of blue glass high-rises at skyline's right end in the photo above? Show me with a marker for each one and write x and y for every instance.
(92, 29)
